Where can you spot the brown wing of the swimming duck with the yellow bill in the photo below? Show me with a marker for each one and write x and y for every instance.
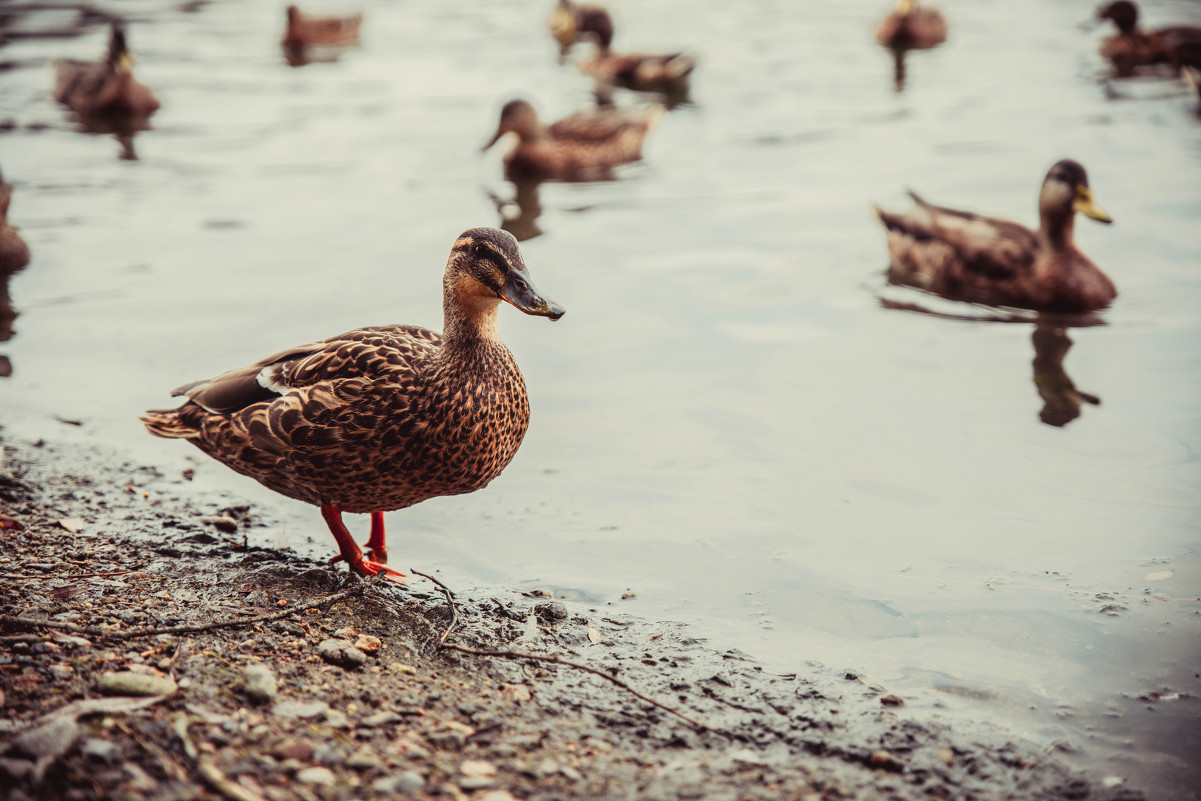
(999, 249)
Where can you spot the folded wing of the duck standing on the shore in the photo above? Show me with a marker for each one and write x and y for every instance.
(366, 354)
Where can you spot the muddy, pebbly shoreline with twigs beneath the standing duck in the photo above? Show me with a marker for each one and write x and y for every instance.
(367, 704)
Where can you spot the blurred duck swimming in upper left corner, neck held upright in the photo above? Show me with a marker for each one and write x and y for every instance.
(105, 88)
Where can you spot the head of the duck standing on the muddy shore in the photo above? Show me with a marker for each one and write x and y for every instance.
(486, 267)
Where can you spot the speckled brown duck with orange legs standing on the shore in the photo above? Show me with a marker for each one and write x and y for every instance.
(379, 419)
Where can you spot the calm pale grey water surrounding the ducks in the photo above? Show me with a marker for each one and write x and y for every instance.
(727, 422)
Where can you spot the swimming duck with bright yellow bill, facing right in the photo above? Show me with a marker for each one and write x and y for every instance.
(969, 258)
